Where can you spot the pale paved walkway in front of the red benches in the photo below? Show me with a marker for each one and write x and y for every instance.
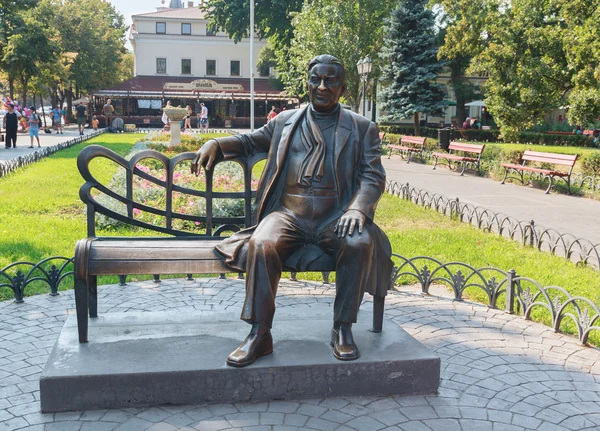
(567, 214)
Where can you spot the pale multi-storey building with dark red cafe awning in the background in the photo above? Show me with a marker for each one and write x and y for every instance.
(180, 58)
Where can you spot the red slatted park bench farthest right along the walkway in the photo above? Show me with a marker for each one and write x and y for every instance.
(542, 172)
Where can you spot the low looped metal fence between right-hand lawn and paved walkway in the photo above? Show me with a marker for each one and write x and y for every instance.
(578, 250)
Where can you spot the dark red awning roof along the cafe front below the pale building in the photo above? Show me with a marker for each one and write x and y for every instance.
(156, 83)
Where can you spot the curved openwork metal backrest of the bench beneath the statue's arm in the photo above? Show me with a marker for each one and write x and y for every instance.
(171, 216)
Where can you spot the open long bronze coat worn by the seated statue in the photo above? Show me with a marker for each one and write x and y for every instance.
(359, 175)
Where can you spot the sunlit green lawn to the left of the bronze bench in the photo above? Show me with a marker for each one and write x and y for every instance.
(41, 214)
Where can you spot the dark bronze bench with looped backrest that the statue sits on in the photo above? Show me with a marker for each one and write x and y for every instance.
(183, 252)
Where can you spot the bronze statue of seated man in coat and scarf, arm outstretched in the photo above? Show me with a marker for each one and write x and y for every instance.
(321, 184)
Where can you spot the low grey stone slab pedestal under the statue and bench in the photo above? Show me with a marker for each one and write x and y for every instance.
(139, 359)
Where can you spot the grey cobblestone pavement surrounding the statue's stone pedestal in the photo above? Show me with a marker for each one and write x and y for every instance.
(499, 372)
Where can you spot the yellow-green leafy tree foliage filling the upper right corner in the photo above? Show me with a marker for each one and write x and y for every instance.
(539, 55)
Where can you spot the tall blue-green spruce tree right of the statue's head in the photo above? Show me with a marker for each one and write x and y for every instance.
(409, 56)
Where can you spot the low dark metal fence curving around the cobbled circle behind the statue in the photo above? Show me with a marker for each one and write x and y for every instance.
(516, 294)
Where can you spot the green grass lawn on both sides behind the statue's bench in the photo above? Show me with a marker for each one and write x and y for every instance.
(41, 216)
